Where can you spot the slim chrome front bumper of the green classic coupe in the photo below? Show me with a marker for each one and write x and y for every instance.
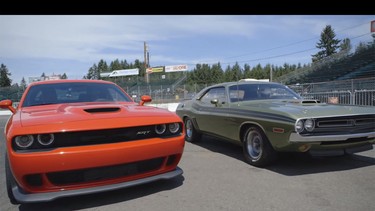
(296, 138)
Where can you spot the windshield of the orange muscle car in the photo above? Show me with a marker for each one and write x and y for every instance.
(74, 92)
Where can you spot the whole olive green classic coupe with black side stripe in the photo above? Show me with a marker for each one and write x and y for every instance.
(267, 118)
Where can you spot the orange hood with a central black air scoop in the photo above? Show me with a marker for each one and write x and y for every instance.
(92, 116)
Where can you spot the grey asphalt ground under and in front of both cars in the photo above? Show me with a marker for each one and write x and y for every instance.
(217, 178)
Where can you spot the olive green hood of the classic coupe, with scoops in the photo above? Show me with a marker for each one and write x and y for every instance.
(306, 108)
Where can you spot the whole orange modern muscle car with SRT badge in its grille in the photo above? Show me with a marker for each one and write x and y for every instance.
(73, 137)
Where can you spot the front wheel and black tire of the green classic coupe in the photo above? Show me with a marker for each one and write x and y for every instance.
(257, 149)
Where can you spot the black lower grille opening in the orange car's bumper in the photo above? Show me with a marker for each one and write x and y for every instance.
(104, 173)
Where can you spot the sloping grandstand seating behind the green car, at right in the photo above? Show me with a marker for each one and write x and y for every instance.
(341, 66)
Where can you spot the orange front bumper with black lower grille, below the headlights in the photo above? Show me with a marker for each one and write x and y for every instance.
(74, 168)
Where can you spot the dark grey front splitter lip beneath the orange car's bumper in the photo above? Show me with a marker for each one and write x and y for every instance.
(44, 197)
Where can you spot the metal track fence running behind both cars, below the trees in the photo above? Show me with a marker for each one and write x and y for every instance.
(349, 92)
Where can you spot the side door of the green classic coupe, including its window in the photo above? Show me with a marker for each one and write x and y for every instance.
(211, 113)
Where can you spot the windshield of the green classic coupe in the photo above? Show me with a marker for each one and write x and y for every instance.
(246, 92)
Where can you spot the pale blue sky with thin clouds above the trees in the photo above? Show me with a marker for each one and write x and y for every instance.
(31, 45)
